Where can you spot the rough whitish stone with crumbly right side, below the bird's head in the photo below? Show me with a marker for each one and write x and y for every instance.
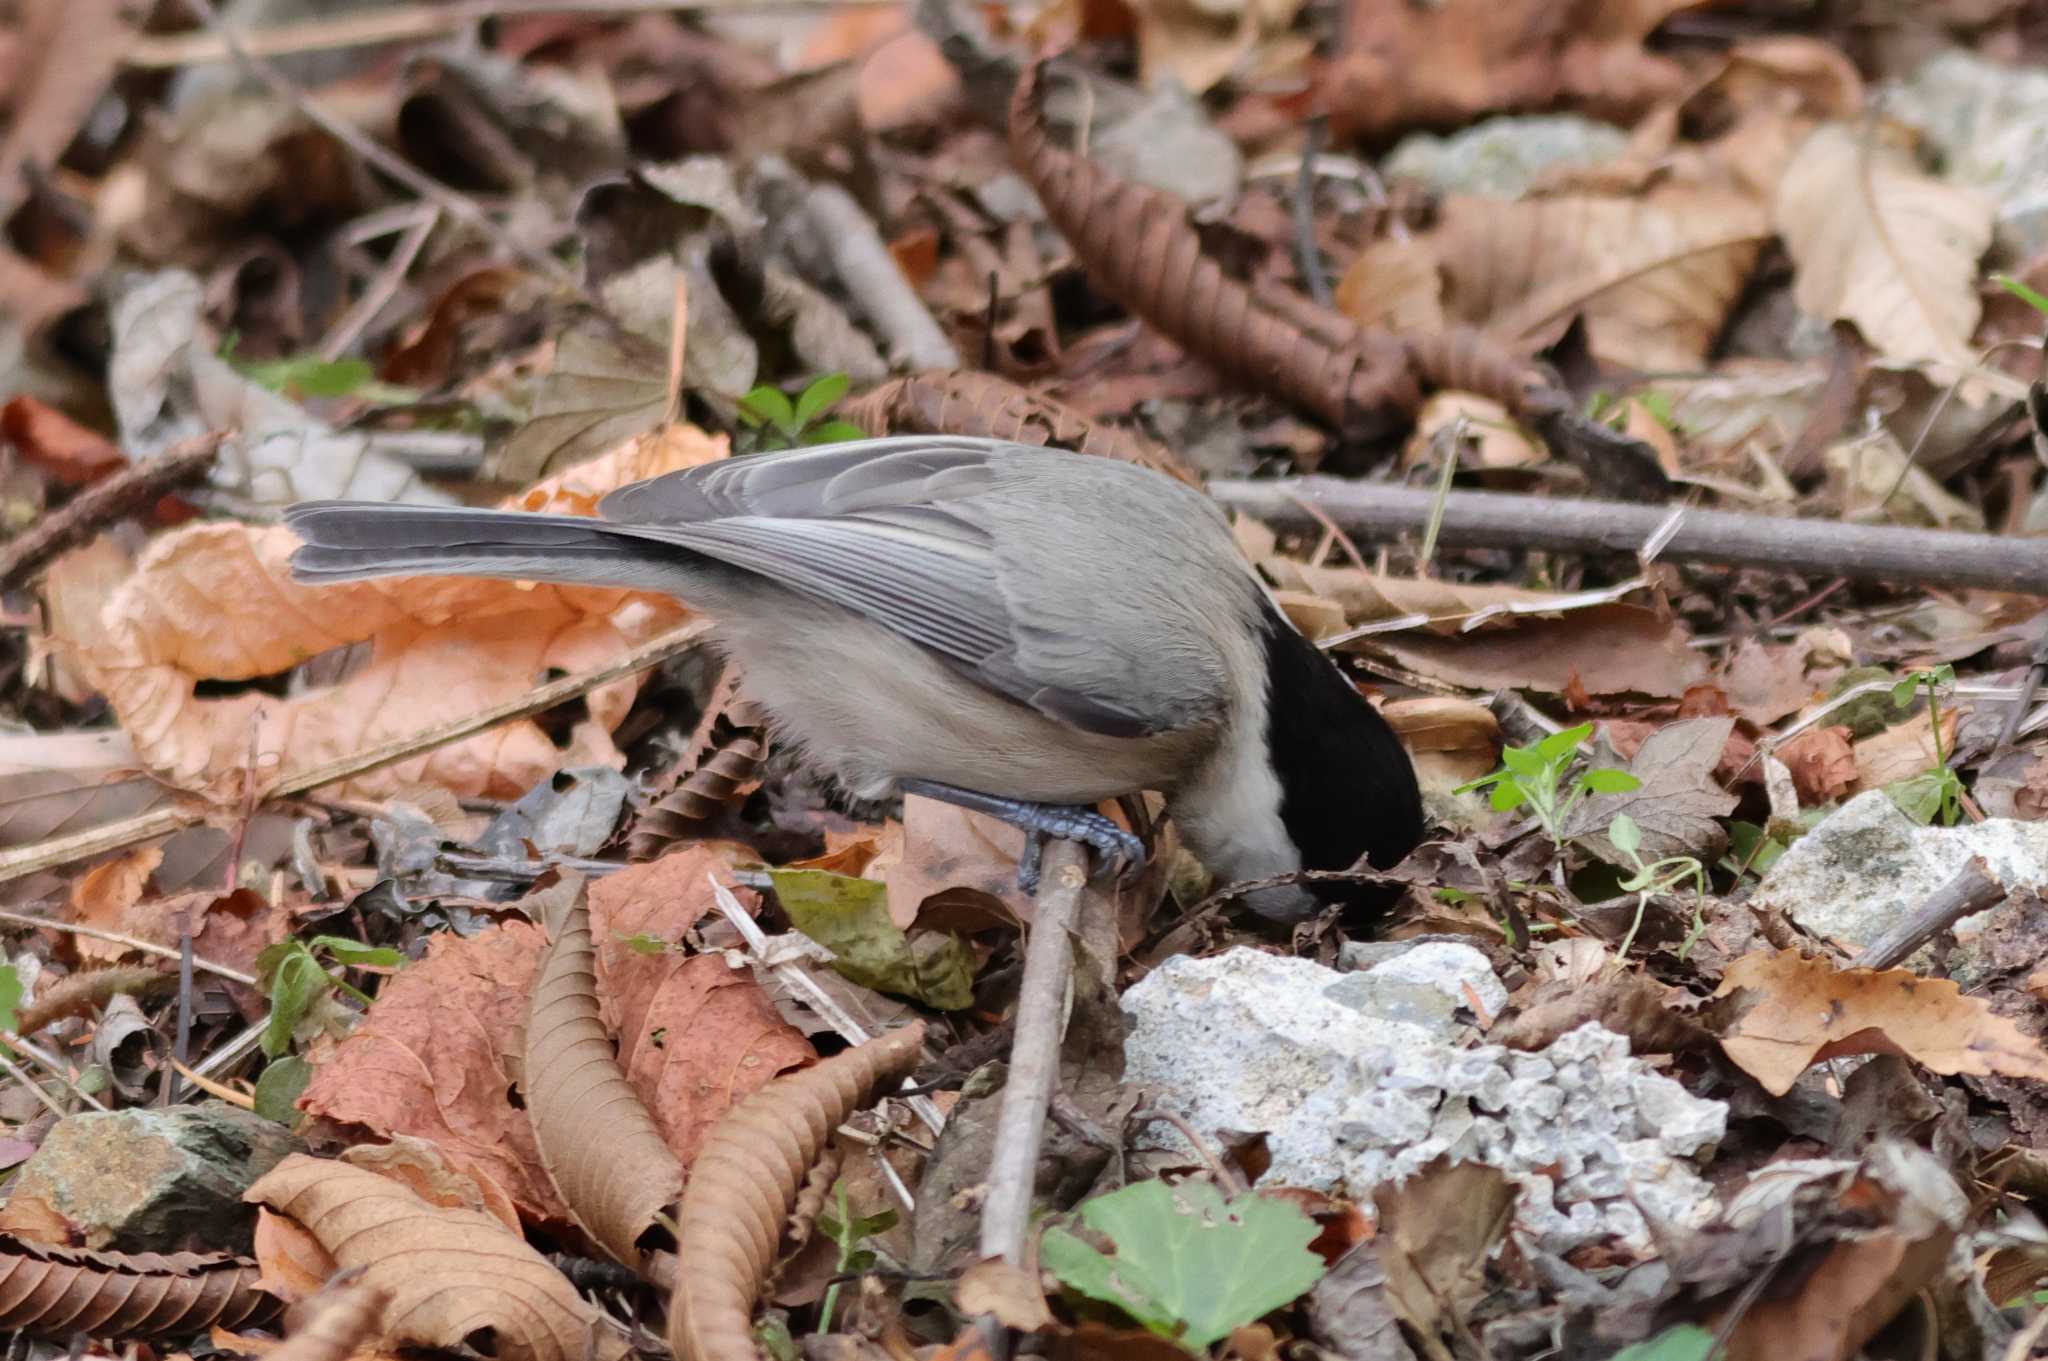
(1349, 1100)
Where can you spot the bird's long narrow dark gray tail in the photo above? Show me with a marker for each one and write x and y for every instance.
(351, 541)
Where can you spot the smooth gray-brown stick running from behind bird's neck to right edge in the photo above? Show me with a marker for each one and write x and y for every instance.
(1736, 539)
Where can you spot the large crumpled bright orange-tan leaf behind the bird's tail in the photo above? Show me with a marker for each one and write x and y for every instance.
(218, 603)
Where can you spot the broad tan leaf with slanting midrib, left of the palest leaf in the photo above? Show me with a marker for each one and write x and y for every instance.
(1654, 277)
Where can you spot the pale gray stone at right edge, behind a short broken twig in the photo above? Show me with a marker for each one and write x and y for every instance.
(1869, 865)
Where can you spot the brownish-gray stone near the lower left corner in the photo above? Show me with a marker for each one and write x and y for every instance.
(157, 1180)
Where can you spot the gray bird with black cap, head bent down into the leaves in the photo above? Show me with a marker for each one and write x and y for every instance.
(1013, 629)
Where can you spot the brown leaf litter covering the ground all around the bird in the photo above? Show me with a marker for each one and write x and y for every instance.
(656, 240)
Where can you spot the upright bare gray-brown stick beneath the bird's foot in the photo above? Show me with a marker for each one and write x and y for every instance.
(1033, 1053)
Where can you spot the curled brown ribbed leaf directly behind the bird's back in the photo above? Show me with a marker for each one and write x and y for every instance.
(984, 404)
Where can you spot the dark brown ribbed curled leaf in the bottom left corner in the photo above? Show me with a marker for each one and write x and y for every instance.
(65, 1292)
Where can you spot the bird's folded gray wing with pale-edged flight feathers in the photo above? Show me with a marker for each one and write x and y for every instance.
(878, 527)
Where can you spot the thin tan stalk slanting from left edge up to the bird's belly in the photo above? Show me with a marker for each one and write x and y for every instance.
(65, 850)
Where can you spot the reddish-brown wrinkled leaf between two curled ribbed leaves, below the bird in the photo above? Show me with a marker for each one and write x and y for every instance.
(695, 1035)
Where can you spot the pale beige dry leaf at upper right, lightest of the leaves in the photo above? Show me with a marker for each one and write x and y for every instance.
(1883, 245)
